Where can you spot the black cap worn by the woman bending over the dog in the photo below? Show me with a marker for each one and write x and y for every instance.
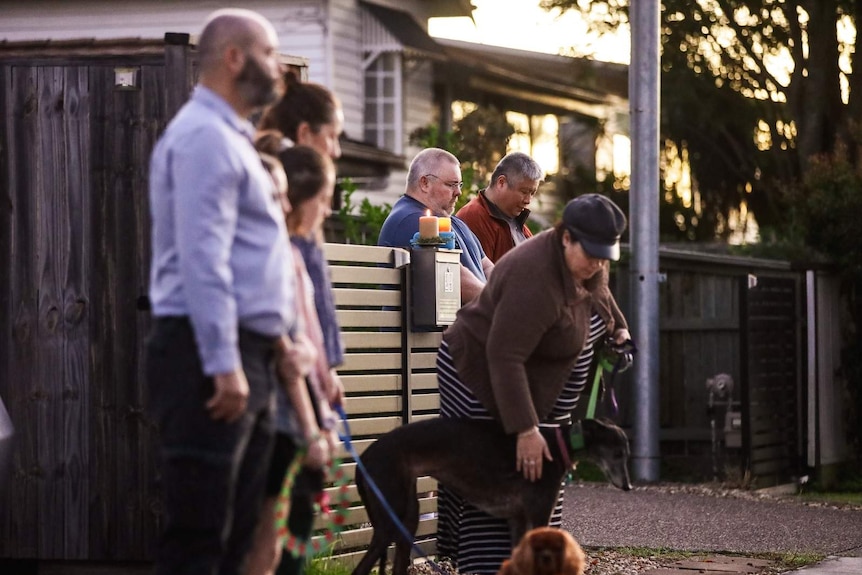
(597, 224)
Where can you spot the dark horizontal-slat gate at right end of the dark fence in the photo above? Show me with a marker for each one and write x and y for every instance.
(770, 309)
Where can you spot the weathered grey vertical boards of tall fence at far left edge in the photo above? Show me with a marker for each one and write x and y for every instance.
(48, 291)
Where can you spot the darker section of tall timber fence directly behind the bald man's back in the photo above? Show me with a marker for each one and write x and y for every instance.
(125, 126)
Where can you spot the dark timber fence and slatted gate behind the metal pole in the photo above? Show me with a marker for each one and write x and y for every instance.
(710, 324)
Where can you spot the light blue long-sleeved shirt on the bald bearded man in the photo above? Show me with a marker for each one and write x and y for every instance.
(220, 250)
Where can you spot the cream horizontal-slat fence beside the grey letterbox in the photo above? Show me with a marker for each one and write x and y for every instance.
(389, 371)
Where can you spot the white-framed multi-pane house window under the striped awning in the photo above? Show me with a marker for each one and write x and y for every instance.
(383, 107)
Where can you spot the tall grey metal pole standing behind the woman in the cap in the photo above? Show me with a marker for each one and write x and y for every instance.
(643, 212)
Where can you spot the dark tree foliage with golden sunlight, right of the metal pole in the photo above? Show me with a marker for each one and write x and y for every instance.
(751, 91)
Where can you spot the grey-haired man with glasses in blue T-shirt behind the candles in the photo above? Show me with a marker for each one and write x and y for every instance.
(434, 184)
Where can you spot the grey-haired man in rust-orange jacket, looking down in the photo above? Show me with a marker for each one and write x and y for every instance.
(498, 214)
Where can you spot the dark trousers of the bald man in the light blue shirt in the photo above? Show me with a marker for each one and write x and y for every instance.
(213, 473)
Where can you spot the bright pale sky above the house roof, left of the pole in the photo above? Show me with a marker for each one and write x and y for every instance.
(522, 24)
